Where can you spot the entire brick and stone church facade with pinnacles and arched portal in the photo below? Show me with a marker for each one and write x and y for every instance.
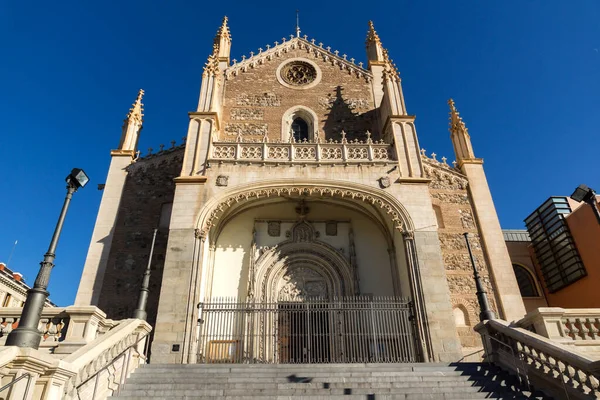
(300, 182)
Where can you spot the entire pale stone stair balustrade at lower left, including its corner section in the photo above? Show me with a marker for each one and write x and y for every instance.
(94, 371)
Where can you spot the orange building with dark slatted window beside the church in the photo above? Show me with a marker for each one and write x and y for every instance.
(565, 251)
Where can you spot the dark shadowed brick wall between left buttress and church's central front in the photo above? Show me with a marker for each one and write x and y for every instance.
(149, 185)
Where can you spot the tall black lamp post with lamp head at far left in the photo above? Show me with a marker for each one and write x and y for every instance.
(27, 333)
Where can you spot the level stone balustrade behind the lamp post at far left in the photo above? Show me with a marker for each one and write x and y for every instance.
(64, 329)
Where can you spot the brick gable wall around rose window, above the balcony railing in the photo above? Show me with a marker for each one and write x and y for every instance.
(255, 101)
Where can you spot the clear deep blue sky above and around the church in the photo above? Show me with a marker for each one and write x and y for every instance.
(525, 76)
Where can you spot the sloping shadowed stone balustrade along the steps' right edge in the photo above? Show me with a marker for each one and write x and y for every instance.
(546, 364)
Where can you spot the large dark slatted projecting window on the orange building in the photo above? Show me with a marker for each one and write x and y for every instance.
(554, 247)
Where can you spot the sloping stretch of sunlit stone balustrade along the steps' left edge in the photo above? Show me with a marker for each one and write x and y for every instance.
(94, 358)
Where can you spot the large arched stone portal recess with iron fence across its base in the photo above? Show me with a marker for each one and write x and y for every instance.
(278, 247)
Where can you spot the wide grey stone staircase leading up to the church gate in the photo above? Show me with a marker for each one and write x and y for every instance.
(324, 381)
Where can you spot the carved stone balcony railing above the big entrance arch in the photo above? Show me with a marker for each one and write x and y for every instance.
(303, 152)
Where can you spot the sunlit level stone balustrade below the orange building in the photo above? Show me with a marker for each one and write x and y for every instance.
(564, 325)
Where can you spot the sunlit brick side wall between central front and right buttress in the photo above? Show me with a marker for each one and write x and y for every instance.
(454, 212)
